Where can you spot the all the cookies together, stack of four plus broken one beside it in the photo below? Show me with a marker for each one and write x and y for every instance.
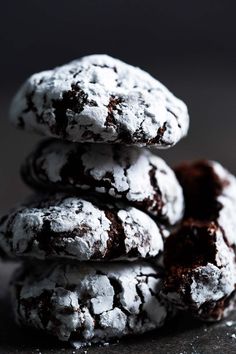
(105, 208)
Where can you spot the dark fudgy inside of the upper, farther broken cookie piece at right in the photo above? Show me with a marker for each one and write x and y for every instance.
(201, 188)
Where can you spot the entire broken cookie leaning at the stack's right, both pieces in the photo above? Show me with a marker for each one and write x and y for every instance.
(200, 256)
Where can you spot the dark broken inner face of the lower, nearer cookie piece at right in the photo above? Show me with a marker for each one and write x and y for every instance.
(191, 246)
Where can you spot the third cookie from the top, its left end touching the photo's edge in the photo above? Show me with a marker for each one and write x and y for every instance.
(60, 226)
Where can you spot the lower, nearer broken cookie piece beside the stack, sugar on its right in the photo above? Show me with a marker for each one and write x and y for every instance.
(201, 269)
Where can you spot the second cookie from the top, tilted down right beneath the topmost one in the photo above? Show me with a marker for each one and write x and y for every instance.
(128, 173)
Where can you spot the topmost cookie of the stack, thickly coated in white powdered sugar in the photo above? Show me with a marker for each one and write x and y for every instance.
(100, 99)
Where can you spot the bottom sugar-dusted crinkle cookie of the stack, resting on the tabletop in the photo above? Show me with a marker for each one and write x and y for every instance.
(90, 302)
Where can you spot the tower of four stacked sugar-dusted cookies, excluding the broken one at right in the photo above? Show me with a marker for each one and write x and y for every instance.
(107, 196)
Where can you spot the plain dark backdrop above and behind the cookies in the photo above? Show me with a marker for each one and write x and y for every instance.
(188, 45)
